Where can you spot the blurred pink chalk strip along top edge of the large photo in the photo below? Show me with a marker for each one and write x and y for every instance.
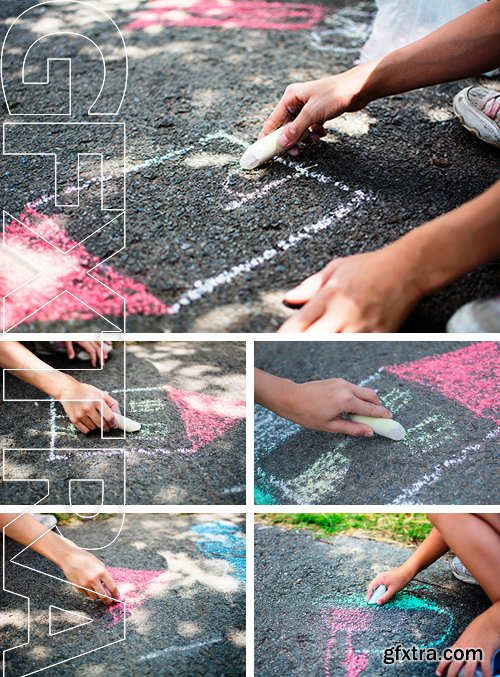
(250, 14)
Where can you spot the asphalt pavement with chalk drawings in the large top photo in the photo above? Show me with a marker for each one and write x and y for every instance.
(209, 246)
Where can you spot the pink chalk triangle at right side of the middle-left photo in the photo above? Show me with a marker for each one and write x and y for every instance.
(206, 417)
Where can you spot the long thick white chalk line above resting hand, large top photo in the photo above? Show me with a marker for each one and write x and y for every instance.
(208, 285)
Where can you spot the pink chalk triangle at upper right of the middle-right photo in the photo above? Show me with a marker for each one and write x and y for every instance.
(469, 375)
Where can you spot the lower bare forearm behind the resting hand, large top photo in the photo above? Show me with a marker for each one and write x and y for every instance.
(456, 243)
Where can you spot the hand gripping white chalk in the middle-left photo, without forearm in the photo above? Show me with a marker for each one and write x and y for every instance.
(85, 412)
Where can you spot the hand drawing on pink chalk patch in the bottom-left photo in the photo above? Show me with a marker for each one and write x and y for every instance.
(84, 569)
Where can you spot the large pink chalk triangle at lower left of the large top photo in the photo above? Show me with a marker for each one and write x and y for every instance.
(61, 281)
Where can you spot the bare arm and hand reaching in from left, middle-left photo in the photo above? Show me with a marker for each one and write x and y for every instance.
(85, 409)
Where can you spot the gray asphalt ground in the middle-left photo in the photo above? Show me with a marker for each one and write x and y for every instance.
(161, 465)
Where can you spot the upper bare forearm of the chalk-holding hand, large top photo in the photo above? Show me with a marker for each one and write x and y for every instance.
(464, 47)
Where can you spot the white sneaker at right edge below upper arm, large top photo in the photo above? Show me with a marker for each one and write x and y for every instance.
(479, 111)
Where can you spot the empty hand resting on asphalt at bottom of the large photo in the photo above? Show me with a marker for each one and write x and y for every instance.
(371, 292)
